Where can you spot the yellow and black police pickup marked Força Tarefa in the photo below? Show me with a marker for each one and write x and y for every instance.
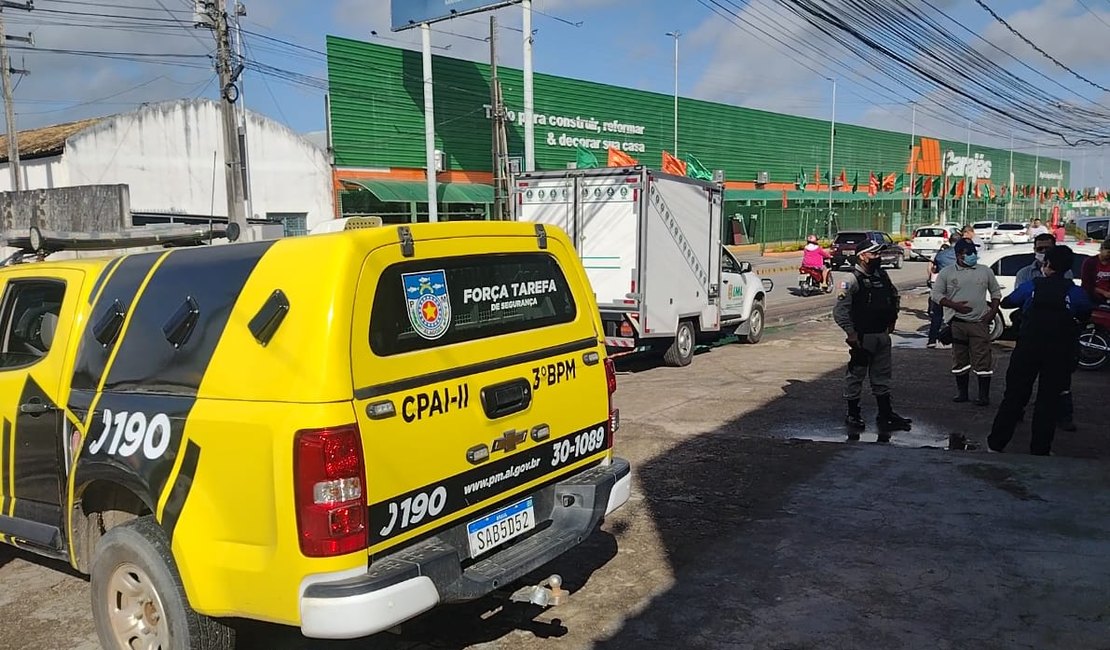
(336, 432)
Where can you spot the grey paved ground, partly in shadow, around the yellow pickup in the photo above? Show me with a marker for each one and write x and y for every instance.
(754, 525)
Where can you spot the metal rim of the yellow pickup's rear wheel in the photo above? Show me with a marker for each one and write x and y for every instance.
(136, 611)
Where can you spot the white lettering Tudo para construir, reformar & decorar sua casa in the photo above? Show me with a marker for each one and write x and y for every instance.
(576, 131)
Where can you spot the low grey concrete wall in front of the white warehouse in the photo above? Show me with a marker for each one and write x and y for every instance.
(80, 209)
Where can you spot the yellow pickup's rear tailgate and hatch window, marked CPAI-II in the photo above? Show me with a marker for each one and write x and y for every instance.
(478, 378)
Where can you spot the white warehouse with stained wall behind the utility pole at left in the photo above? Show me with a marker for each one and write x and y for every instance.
(170, 155)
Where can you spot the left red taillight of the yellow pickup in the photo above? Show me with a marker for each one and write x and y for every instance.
(331, 501)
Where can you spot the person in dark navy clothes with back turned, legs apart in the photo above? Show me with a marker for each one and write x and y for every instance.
(1053, 309)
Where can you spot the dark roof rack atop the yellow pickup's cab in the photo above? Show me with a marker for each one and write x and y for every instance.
(39, 245)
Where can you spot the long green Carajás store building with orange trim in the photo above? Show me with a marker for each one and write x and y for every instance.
(377, 135)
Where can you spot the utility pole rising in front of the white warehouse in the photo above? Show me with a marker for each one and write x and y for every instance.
(216, 16)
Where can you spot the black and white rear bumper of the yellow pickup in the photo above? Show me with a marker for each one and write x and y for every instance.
(413, 581)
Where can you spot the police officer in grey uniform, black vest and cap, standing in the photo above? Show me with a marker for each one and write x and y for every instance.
(867, 310)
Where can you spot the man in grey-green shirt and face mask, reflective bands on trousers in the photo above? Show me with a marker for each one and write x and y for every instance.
(962, 290)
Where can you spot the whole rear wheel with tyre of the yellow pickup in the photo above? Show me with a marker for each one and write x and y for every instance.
(138, 601)
